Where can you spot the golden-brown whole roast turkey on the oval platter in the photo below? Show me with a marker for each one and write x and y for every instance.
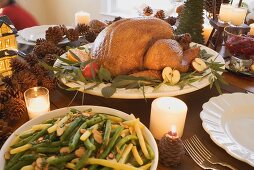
(139, 45)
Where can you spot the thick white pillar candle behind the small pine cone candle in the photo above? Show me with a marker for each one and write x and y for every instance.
(167, 112)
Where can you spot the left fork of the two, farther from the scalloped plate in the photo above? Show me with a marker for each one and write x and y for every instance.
(203, 163)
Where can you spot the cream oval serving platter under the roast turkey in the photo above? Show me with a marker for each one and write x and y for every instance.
(149, 92)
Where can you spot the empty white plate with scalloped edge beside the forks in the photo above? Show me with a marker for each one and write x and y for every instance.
(229, 120)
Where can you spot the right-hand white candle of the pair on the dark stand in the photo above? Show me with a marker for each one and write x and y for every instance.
(238, 16)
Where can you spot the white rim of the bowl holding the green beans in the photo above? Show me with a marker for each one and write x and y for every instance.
(61, 112)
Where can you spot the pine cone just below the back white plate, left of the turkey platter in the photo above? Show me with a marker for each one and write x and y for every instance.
(44, 48)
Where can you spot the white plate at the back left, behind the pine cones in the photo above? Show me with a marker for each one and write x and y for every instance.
(31, 34)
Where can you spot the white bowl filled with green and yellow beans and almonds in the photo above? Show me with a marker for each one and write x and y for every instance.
(73, 115)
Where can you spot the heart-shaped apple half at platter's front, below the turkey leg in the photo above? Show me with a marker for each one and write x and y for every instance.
(171, 76)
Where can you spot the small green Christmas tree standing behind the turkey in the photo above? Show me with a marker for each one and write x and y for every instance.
(191, 21)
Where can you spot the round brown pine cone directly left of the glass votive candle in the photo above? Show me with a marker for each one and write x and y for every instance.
(15, 108)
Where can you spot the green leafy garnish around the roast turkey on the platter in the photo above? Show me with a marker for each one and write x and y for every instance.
(70, 71)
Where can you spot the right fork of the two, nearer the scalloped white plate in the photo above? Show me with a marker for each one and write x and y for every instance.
(205, 153)
